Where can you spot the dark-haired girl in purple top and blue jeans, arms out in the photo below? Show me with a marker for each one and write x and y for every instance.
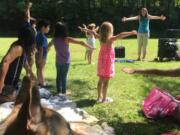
(61, 43)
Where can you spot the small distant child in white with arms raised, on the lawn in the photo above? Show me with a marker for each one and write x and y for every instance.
(91, 40)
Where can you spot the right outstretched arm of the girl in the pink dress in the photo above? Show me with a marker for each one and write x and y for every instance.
(123, 35)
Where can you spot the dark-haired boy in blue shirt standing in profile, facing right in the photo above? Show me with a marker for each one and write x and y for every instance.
(41, 54)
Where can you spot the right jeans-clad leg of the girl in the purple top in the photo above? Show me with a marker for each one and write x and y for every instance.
(65, 69)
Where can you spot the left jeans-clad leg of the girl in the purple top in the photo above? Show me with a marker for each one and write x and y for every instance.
(58, 78)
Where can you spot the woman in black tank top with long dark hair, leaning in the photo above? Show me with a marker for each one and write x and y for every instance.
(12, 63)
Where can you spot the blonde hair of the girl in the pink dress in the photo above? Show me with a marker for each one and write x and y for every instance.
(106, 31)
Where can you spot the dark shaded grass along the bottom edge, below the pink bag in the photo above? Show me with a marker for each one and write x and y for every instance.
(150, 127)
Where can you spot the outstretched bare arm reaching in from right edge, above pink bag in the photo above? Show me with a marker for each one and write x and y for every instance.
(168, 73)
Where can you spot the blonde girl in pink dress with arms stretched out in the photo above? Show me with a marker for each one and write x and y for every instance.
(106, 58)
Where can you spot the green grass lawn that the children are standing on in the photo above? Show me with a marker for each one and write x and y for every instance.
(128, 91)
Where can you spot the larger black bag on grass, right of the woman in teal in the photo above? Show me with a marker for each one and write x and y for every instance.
(167, 48)
